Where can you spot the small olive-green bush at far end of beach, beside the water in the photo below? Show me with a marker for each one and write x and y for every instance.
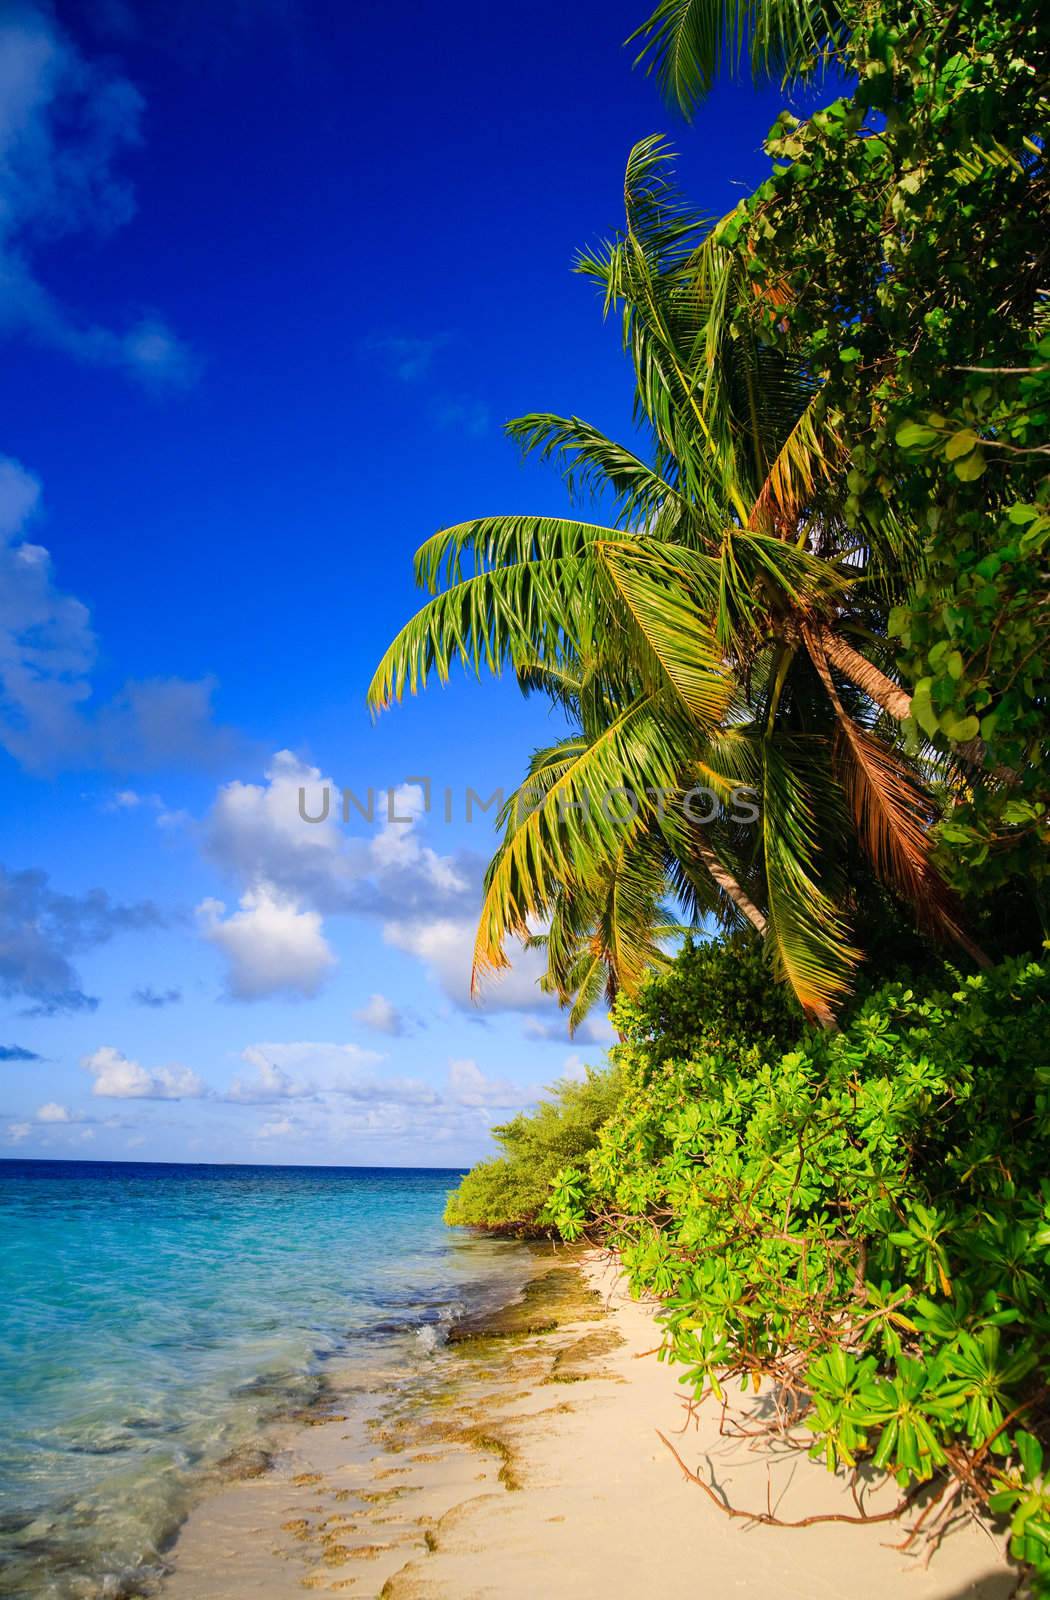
(511, 1193)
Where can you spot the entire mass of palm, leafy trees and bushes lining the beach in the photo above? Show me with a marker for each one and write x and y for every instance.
(819, 593)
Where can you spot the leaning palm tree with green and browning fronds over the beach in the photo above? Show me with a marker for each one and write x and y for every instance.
(724, 631)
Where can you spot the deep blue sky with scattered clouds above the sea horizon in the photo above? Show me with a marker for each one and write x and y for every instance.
(270, 287)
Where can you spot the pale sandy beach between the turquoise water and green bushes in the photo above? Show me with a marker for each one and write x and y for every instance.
(524, 1463)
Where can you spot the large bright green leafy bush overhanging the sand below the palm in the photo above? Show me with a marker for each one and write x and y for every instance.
(864, 1218)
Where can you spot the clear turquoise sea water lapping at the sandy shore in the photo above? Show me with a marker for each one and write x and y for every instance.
(154, 1319)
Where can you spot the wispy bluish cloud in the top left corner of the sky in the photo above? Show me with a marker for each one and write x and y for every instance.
(65, 127)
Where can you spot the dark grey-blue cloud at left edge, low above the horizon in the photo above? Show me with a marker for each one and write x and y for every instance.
(41, 932)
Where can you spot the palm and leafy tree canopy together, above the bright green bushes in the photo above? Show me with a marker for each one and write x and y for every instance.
(820, 590)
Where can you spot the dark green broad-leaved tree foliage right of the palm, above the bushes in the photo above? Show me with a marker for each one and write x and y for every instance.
(905, 231)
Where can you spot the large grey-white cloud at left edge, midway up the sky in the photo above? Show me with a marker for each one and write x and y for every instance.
(47, 655)
